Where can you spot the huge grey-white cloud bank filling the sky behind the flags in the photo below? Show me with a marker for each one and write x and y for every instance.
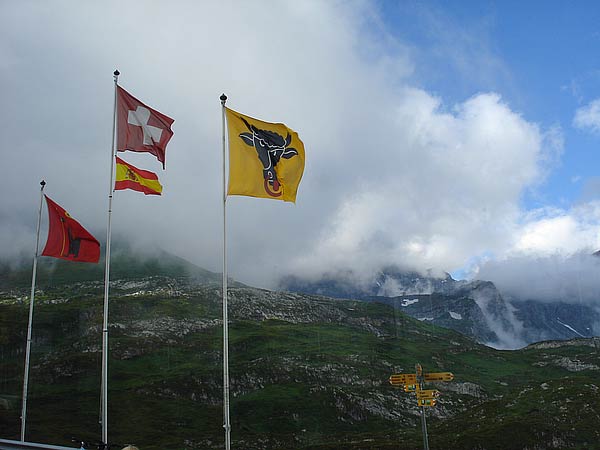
(394, 174)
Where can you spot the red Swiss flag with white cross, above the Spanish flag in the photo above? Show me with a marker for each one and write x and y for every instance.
(141, 128)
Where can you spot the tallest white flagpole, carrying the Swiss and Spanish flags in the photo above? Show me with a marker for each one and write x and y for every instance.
(104, 389)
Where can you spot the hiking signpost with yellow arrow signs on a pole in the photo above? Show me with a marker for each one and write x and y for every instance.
(413, 382)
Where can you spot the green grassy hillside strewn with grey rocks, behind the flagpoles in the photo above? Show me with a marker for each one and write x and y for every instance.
(306, 371)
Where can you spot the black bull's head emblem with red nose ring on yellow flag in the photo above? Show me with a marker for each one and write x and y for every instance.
(270, 147)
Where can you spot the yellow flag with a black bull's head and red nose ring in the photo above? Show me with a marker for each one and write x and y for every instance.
(266, 159)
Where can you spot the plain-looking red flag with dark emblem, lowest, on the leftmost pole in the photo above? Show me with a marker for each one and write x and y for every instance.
(67, 239)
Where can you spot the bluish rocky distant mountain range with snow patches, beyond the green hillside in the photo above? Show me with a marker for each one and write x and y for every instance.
(474, 308)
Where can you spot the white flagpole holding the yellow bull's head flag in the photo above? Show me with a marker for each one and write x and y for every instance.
(226, 424)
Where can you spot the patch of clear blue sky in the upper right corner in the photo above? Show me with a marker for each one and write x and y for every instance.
(543, 59)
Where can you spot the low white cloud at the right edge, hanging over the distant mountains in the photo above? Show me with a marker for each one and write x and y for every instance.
(552, 257)
